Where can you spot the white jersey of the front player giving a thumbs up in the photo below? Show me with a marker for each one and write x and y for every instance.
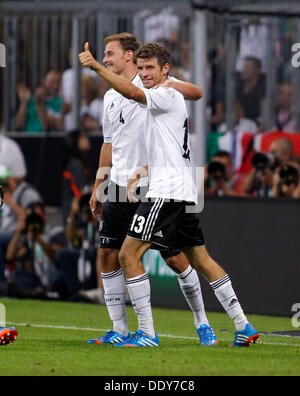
(167, 143)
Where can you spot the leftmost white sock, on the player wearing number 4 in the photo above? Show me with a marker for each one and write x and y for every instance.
(115, 299)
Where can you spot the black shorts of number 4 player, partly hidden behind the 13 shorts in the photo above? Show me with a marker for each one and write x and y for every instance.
(115, 220)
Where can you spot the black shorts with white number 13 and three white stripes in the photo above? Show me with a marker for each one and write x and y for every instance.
(166, 225)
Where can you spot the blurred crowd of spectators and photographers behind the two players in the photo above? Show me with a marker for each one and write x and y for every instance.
(60, 261)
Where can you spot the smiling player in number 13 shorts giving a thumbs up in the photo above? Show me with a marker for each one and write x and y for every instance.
(166, 213)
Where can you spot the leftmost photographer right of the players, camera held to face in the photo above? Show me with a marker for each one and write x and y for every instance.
(219, 175)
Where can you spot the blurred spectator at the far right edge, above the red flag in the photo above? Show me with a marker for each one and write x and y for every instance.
(285, 120)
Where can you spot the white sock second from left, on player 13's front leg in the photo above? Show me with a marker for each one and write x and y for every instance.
(140, 295)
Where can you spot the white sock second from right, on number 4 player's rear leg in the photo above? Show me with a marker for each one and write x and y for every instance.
(191, 289)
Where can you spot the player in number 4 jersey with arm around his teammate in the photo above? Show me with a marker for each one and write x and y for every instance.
(124, 151)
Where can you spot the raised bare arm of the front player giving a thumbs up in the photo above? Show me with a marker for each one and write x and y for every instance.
(120, 84)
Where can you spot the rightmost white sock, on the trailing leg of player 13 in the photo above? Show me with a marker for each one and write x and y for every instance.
(228, 299)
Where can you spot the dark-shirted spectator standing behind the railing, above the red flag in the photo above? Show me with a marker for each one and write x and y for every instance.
(251, 88)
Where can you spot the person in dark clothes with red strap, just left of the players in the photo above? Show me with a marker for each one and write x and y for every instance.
(76, 169)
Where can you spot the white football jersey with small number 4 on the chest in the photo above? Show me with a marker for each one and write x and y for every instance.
(123, 127)
